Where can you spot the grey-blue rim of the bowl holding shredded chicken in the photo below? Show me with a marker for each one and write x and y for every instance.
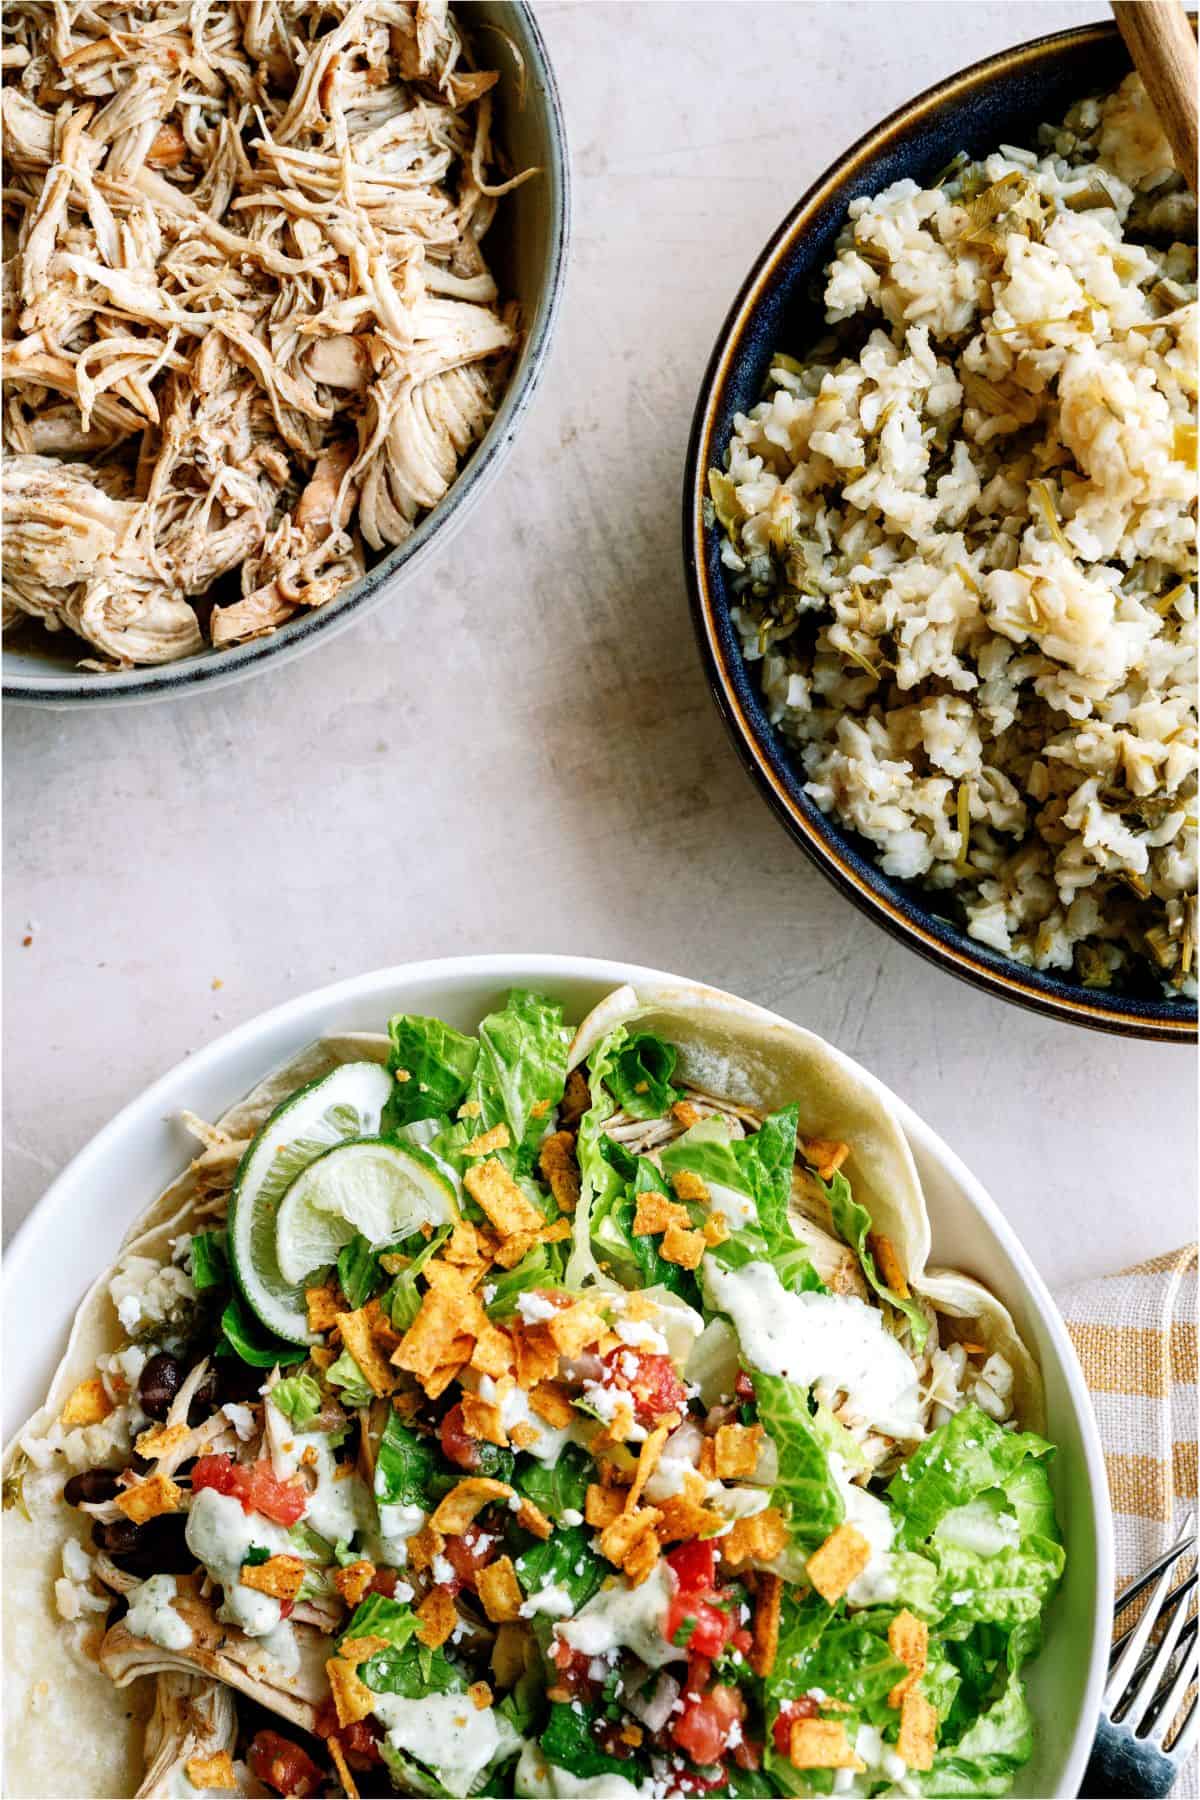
(219, 669)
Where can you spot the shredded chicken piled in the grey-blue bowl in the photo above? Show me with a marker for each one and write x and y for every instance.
(249, 330)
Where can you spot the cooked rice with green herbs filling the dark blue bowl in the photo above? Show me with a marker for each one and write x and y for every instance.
(954, 539)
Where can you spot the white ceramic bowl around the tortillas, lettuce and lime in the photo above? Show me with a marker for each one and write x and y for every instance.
(73, 1236)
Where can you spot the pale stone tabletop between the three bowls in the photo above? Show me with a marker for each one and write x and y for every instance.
(519, 751)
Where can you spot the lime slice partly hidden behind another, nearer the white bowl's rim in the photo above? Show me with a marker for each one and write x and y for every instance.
(339, 1106)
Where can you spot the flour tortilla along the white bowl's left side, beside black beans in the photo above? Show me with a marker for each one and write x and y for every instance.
(67, 1729)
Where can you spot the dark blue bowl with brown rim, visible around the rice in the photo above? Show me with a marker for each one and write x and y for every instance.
(999, 102)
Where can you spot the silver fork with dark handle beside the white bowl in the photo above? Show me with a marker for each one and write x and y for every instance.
(1147, 1687)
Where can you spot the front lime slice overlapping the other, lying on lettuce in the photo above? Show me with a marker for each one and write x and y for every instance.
(372, 1187)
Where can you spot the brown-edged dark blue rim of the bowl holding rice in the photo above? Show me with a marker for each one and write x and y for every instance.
(760, 748)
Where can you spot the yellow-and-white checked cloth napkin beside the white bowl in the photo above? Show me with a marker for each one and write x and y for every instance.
(1136, 1338)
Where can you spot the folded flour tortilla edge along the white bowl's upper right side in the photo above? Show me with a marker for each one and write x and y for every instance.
(742, 1054)
